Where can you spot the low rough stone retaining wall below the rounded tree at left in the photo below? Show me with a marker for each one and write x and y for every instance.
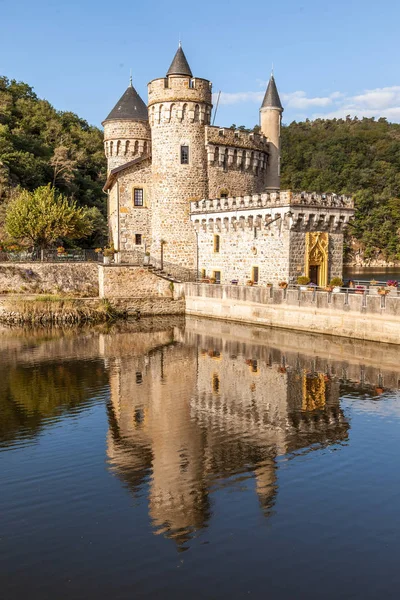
(78, 279)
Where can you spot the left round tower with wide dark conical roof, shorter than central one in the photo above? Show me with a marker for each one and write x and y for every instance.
(126, 130)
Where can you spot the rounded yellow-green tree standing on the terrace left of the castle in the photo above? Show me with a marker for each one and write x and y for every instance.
(43, 217)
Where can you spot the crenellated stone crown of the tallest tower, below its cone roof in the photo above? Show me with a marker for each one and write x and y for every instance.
(180, 89)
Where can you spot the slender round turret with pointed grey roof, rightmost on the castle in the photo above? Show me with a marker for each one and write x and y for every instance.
(270, 121)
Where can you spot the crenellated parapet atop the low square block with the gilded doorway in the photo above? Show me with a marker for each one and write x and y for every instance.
(272, 200)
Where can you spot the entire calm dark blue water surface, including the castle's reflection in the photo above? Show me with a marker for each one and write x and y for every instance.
(200, 460)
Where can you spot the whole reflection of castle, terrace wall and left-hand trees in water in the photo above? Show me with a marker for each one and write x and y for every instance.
(192, 406)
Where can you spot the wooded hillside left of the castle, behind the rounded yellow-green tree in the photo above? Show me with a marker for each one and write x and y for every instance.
(40, 145)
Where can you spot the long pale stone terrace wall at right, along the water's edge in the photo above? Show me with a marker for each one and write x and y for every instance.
(361, 317)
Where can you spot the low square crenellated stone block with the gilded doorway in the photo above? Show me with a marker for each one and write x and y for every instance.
(263, 237)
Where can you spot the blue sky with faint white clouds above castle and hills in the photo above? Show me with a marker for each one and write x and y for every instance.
(330, 58)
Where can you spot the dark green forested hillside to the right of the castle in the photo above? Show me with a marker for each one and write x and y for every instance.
(350, 156)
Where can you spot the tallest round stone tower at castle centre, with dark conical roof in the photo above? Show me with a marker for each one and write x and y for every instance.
(179, 109)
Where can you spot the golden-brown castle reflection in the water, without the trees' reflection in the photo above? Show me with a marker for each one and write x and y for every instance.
(189, 410)
